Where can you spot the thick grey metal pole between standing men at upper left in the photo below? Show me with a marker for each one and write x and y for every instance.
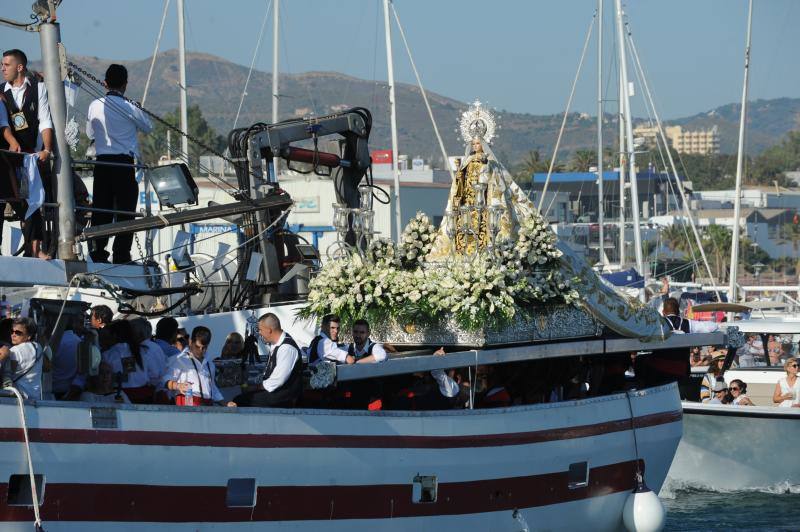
(50, 37)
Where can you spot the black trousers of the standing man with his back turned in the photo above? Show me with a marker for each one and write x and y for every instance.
(115, 187)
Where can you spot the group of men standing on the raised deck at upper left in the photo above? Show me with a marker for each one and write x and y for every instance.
(28, 142)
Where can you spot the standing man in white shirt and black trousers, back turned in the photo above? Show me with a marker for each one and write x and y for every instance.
(113, 124)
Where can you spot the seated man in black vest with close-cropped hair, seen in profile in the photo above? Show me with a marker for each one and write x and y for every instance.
(283, 378)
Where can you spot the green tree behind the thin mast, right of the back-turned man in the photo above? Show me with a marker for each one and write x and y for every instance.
(154, 144)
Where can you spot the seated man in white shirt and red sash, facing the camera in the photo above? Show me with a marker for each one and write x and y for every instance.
(191, 375)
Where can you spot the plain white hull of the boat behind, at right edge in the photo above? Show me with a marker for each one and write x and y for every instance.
(728, 447)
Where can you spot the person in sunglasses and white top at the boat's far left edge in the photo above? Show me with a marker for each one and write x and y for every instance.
(24, 359)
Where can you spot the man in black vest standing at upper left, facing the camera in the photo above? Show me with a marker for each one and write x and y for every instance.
(32, 127)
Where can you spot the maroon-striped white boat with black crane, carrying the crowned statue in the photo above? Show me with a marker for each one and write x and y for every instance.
(560, 460)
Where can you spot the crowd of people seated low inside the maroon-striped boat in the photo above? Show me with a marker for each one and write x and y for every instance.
(126, 361)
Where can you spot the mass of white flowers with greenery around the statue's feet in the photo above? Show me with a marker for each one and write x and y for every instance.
(487, 289)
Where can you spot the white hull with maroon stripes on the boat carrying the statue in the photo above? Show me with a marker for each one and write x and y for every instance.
(168, 467)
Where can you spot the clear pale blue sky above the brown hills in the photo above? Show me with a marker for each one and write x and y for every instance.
(516, 55)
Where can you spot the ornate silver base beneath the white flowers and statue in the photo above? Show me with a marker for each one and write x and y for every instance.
(548, 322)
